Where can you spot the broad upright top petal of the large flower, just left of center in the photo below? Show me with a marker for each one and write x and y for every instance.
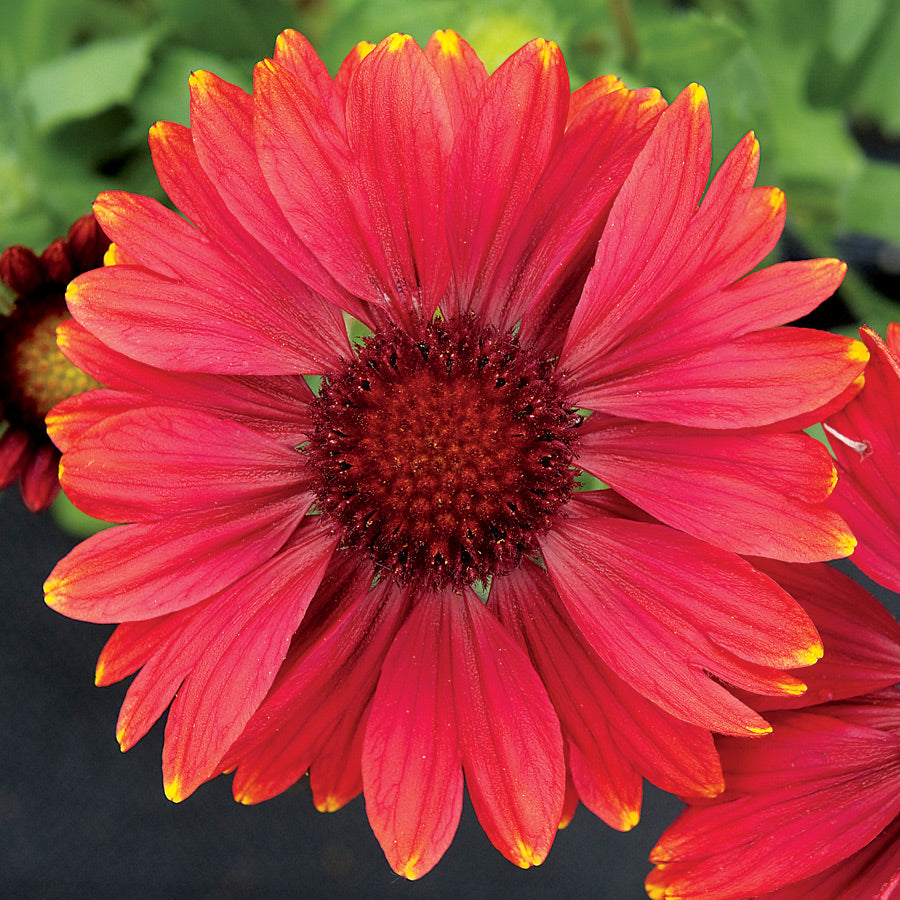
(398, 125)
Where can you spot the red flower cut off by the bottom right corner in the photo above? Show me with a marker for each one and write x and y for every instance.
(811, 811)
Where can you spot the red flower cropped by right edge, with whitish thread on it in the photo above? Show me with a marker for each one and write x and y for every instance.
(865, 437)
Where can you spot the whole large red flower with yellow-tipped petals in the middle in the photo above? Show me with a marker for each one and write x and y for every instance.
(393, 582)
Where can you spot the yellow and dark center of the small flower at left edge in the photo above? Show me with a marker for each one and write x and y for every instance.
(34, 375)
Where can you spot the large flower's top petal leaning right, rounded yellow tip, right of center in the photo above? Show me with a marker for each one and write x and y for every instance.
(497, 160)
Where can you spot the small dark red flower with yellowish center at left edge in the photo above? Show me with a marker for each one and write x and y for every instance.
(34, 375)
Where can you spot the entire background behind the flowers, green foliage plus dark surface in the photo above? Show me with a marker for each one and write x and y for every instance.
(81, 82)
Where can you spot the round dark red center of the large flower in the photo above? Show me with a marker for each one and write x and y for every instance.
(443, 454)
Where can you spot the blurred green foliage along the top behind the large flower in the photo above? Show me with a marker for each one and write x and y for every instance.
(81, 81)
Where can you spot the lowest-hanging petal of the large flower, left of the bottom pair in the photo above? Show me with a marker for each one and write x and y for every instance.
(412, 761)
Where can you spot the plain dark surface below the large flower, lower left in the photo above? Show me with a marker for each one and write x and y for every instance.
(78, 818)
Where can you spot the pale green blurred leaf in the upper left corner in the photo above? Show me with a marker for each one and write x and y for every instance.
(88, 80)
